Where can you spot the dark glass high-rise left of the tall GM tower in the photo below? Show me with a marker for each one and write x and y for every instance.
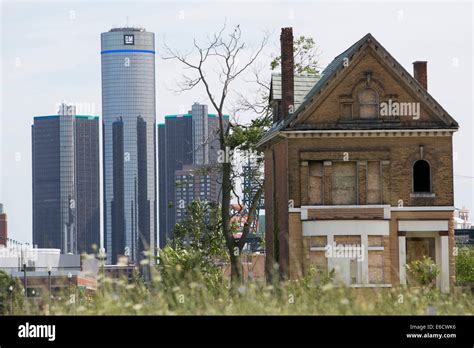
(65, 154)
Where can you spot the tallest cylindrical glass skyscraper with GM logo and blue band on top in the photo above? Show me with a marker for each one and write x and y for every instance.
(129, 137)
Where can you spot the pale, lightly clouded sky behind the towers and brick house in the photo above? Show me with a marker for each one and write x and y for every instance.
(50, 52)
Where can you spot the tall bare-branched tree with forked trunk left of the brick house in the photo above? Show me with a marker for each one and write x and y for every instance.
(221, 55)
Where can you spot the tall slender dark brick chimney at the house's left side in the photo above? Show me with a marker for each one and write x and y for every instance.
(287, 72)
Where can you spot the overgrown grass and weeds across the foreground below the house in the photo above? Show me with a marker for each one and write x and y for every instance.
(190, 294)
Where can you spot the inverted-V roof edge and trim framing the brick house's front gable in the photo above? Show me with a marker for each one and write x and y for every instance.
(338, 64)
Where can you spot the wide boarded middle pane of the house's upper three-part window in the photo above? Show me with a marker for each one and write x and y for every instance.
(344, 183)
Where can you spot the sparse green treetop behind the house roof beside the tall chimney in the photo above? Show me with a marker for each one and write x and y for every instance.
(305, 56)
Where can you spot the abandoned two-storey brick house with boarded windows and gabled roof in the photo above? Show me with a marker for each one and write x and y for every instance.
(364, 159)
